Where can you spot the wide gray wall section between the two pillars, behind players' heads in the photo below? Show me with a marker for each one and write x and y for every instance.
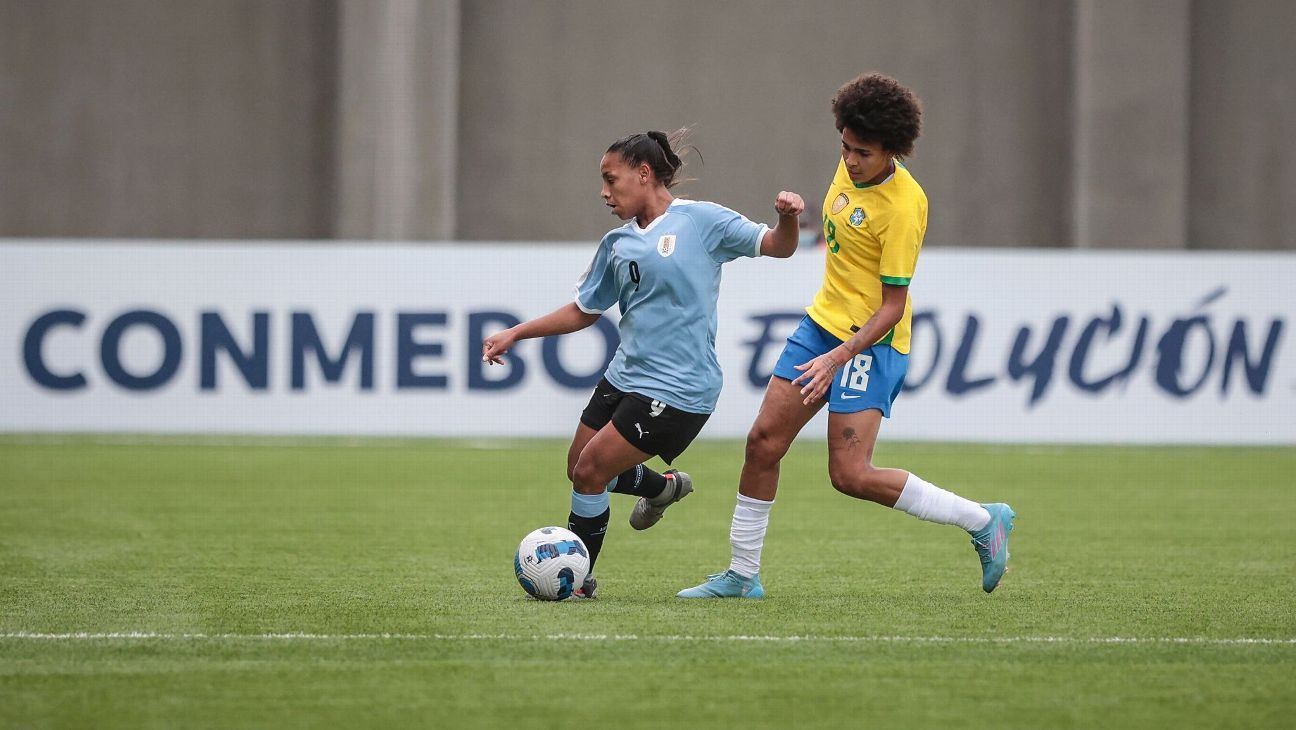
(561, 82)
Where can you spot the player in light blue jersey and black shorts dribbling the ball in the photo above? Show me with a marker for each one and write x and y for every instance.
(663, 272)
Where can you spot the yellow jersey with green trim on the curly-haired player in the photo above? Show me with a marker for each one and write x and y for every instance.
(874, 235)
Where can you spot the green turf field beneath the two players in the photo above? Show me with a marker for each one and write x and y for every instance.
(274, 583)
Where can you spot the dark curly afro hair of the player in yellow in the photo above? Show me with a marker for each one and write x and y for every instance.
(878, 110)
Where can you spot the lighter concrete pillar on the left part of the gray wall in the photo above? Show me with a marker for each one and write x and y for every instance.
(399, 119)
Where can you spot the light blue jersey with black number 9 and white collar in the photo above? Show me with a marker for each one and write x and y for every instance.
(667, 279)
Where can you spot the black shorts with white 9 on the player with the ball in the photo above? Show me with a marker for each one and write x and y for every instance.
(650, 426)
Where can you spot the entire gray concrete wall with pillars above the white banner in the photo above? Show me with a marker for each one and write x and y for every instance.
(1164, 124)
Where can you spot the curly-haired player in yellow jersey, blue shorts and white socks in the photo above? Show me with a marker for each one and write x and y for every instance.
(852, 349)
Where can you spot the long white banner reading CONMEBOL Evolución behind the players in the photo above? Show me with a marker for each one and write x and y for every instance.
(357, 339)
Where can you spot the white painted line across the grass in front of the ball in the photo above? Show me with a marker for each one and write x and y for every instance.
(303, 637)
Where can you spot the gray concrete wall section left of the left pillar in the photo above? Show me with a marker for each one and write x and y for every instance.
(209, 119)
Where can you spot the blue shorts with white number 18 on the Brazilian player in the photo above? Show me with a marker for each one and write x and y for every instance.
(873, 381)
